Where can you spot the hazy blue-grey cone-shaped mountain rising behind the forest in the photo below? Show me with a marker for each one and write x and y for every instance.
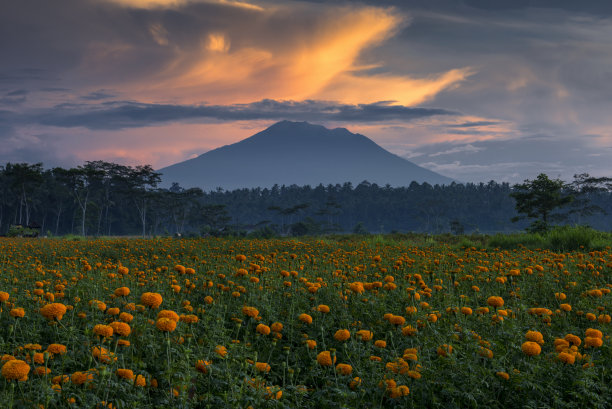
(297, 153)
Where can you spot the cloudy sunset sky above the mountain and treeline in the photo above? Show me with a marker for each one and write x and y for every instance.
(476, 90)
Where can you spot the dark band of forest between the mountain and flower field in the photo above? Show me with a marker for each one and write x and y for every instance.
(106, 199)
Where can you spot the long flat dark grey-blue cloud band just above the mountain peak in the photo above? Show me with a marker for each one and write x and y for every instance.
(120, 115)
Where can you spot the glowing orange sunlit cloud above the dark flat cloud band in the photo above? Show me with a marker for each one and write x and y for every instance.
(316, 61)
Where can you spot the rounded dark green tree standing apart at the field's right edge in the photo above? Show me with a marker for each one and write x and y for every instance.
(538, 199)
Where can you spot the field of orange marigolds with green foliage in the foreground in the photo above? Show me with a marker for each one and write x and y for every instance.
(129, 323)
